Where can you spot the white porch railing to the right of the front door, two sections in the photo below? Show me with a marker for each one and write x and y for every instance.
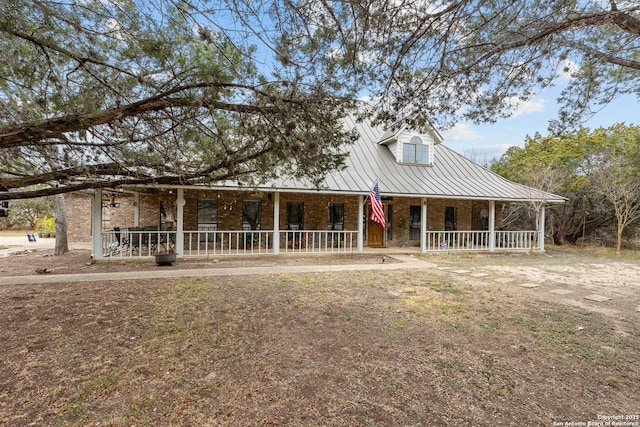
(479, 240)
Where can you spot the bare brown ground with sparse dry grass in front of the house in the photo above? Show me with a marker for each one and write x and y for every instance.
(482, 340)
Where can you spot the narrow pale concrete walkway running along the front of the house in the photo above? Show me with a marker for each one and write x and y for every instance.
(406, 262)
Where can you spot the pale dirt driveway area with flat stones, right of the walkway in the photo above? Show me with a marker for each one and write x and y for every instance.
(592, 281)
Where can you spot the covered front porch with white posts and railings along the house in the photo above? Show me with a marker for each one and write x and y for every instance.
(276, 235)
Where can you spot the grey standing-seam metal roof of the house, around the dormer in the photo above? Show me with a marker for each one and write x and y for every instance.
(450, 176)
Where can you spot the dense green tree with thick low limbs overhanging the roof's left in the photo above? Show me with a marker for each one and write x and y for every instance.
(103, 94)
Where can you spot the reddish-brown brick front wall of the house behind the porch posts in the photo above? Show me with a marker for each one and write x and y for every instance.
(470, 215)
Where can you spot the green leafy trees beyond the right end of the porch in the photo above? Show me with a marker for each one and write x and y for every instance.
(596, 169)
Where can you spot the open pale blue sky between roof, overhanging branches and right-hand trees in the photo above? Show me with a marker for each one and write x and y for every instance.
(482, 143)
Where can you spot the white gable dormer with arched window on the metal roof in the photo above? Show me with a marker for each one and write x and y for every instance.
(412, 147)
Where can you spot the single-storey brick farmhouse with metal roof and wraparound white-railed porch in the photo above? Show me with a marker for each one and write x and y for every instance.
(432, 198)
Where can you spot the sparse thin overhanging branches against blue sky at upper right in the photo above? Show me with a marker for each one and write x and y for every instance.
(474, 59)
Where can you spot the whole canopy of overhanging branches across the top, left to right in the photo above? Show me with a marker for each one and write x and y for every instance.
(175, 92)
